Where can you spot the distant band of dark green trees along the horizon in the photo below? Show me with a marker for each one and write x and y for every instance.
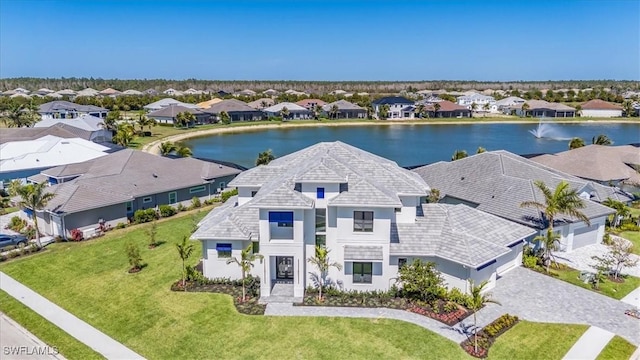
(316, 87)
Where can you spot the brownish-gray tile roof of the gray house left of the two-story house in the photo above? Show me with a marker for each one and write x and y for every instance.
(125, 175)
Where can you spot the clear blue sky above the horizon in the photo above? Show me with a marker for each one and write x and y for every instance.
(322, 40)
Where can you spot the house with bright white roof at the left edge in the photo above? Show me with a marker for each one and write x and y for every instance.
(21, 159)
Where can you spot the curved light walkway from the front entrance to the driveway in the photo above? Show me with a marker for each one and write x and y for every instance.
(282, 309)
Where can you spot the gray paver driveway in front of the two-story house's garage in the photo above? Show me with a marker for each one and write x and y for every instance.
(537, 297)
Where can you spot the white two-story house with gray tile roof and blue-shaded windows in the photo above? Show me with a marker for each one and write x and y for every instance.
(365, 209)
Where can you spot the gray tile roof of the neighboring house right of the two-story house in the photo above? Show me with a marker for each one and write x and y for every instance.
(499, 181)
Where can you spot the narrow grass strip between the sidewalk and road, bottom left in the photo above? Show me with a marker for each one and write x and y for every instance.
(50, 334)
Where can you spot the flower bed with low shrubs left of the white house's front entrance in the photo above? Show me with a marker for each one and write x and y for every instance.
(229, 287)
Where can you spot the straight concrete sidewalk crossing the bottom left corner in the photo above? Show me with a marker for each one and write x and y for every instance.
(75, 327)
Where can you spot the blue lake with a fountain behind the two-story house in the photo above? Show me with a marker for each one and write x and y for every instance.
(409, 144)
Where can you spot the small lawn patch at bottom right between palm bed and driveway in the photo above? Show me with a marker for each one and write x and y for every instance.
(528, 340)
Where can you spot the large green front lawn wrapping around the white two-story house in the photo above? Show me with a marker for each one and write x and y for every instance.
(90, 280)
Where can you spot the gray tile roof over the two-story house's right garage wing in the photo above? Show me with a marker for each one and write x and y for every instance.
(457, 233)
